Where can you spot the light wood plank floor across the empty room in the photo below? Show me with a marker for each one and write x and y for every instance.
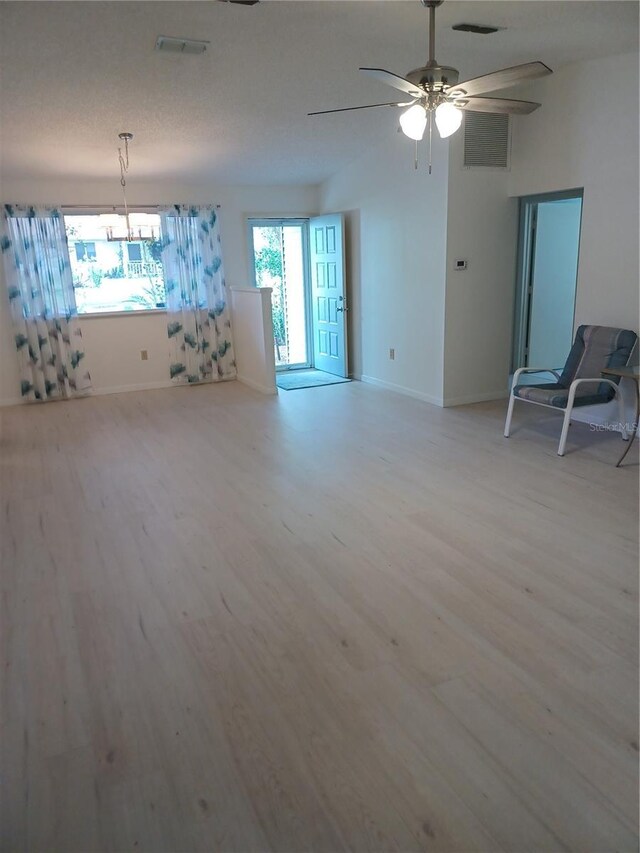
(337, 620)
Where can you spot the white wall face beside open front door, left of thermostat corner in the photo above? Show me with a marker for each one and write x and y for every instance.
(396, 227)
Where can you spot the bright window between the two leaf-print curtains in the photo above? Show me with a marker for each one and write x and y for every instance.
(113, 275)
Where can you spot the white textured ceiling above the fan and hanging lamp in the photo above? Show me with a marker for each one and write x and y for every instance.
(74, 74)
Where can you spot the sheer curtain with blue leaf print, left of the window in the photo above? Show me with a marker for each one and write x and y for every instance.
(43, 306)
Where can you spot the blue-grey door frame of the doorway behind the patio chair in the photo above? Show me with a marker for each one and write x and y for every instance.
(527, 219)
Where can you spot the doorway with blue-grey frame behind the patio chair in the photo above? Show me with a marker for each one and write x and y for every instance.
(548, 250)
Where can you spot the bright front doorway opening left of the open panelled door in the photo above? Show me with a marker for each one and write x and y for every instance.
(280, 260)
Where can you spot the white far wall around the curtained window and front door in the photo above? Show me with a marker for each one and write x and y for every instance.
(113, 344)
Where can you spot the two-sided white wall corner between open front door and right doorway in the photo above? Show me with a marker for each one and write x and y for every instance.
(451, 331)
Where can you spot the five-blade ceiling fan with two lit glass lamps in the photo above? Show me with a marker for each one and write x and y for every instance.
(435, 92)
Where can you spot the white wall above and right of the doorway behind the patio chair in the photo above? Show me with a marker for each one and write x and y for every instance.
(586, 135)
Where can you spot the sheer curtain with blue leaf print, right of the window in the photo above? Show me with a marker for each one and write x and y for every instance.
(198, 325)
